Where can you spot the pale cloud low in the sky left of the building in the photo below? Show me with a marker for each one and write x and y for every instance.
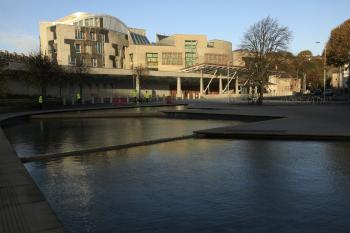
(18, 42)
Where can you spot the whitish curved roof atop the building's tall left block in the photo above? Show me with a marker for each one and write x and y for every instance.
(88, 20)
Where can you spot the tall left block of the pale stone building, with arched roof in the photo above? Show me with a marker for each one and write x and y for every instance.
(94, 40)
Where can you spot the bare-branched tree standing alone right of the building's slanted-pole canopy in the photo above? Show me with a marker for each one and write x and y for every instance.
(265, 40)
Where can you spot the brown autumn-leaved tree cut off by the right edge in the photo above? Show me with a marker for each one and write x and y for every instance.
(338, 46)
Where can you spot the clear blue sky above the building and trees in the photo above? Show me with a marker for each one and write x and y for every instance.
(309, 20)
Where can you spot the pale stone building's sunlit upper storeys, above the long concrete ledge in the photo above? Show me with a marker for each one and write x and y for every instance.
(103, 41)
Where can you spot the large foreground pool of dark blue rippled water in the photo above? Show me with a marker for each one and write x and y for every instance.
(203, 185)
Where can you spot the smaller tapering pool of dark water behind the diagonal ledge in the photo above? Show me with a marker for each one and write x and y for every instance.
(36, 137)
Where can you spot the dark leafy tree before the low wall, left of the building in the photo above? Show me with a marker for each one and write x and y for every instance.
(43, 71)
